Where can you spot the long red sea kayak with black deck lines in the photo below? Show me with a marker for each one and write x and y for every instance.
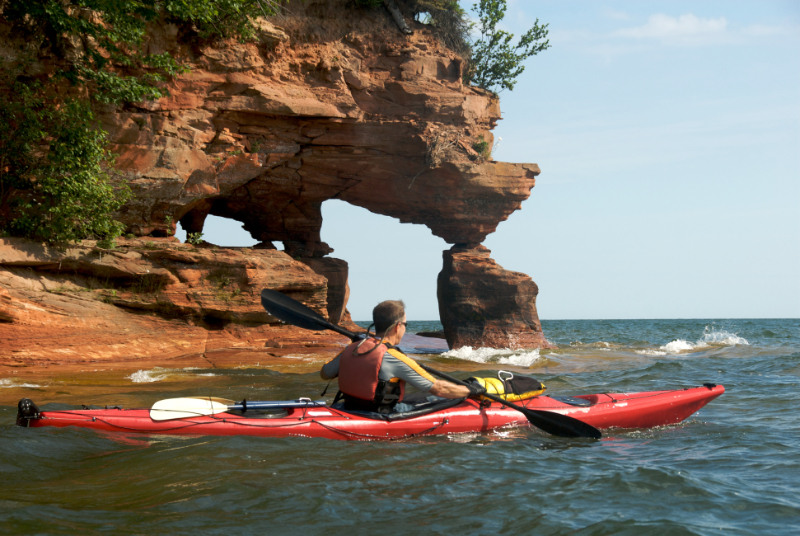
(603, 411)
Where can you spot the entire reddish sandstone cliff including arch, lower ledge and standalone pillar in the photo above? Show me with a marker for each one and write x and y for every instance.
(332, 103)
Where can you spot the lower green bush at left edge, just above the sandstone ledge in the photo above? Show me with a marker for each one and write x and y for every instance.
(54, 183)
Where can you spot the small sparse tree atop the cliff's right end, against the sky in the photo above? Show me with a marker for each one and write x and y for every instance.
(496, 62)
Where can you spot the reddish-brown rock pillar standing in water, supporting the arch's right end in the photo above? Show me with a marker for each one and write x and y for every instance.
(483, 305)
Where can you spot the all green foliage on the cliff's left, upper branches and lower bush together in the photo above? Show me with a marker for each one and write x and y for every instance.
(54, 161)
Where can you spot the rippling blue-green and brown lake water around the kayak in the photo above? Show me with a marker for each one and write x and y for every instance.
(733, 468)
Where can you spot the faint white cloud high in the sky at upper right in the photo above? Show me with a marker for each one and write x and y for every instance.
(686, 29)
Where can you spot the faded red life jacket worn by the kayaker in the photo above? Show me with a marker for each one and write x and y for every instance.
(359, 369)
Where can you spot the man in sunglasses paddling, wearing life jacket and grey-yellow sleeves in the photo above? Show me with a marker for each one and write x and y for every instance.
(373, 373)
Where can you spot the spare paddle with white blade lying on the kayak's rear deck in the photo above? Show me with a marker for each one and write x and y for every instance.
(181, 408)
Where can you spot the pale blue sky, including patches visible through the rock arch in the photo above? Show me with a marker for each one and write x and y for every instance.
(668, 134)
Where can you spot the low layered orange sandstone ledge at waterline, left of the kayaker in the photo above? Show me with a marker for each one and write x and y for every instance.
(149, 299)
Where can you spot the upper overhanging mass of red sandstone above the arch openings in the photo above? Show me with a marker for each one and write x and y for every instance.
(337, 105)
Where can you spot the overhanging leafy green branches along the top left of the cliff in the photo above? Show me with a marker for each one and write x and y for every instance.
(100, 41)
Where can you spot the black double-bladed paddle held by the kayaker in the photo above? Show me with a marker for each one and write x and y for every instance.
(295, 313)
